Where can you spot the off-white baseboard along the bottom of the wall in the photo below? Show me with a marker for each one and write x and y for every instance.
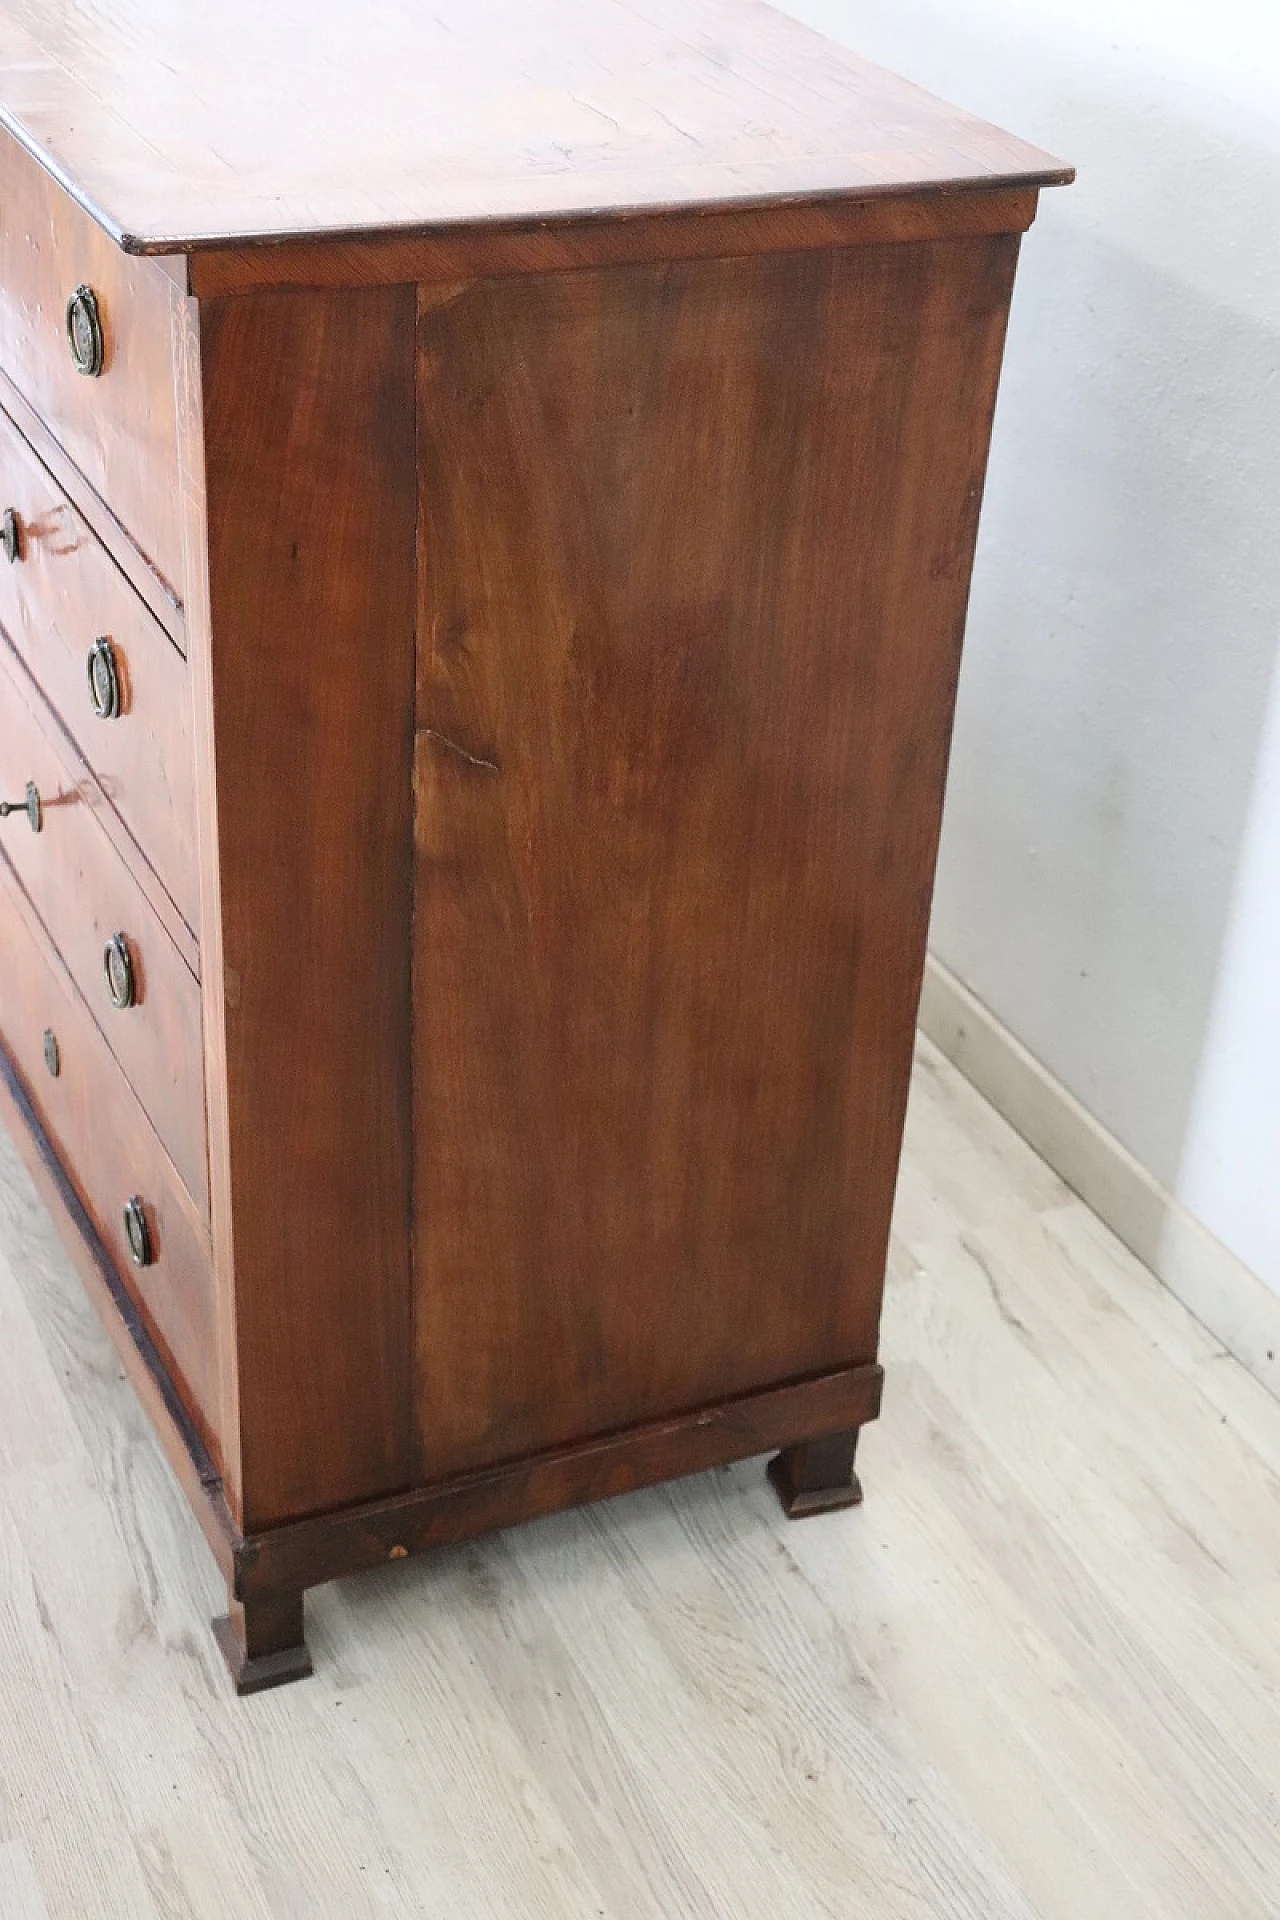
(1212, 1284)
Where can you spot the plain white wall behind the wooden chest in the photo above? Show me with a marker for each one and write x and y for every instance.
(1110, 880)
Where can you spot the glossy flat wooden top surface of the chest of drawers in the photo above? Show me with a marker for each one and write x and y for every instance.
(202, 126)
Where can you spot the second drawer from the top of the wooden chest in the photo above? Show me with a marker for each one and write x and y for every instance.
(62, 596)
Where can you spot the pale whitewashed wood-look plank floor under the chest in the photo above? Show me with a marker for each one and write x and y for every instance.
(1037, 1673)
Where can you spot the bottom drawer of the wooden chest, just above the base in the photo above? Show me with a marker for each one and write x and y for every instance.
(108, 1149)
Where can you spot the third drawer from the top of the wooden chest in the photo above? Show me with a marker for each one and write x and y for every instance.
(87, 898)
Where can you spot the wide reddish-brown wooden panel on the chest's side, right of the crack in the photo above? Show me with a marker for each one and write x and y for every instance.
(698, 550)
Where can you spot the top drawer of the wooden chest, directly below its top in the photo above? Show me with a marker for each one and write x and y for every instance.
(120, 427)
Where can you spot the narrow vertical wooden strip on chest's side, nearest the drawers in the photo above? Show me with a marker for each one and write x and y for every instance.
(310, 492)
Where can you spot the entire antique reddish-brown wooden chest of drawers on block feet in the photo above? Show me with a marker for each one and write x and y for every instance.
(485, 569)
